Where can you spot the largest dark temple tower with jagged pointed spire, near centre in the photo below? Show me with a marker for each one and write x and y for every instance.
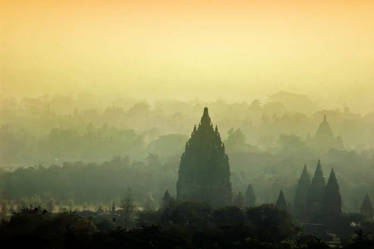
(204, 172)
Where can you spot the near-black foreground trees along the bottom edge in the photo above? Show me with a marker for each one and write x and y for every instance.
(181, 225)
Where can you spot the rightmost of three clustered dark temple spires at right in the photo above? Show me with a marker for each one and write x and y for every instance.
(332, 201)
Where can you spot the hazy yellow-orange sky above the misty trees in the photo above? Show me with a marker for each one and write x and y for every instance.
(235, 50)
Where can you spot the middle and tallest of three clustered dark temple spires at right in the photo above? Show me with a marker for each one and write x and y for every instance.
(315, 193)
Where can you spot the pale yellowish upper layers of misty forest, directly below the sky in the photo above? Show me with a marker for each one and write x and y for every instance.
(65, 128)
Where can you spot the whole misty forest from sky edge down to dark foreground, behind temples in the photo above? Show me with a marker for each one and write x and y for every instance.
(49, 144)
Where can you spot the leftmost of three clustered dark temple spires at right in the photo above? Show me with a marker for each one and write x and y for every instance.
(301, 193)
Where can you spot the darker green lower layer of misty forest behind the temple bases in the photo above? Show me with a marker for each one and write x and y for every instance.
(83, 182)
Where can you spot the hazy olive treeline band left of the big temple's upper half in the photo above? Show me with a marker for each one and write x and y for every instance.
(90, 144)
